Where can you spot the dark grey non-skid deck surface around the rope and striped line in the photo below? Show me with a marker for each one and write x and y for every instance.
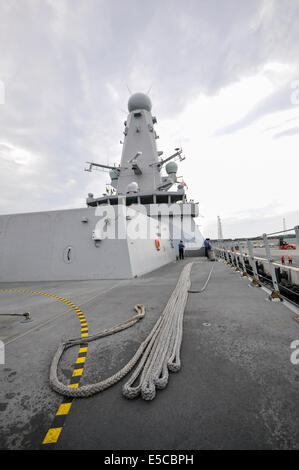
(237, 388)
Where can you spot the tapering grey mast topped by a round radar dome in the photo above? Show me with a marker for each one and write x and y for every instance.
(139, 172)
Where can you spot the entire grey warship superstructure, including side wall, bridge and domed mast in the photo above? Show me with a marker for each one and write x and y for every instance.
(130, 231)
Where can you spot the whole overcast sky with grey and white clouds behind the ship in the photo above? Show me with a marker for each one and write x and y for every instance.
(224, 83)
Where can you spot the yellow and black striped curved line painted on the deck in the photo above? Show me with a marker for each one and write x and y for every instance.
(53, 433)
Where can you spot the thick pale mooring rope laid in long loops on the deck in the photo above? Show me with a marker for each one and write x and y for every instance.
(159, 353)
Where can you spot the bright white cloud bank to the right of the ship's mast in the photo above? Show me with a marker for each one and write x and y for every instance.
(240, 175)
